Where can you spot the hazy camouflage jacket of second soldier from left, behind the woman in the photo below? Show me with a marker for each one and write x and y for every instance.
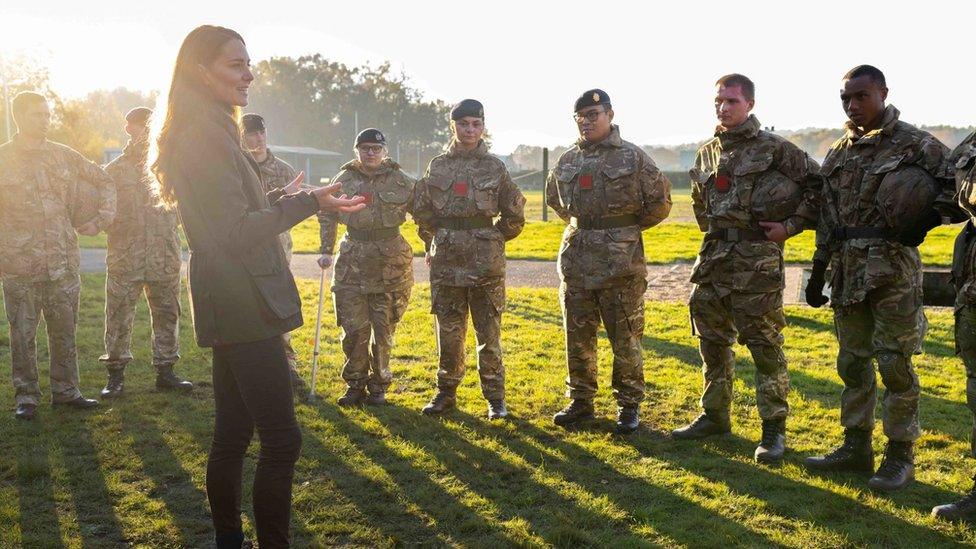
(143, 241)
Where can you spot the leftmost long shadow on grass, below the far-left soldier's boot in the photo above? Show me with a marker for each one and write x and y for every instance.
(38, 511)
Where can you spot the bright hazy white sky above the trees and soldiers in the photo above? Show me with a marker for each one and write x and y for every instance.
(528, 61)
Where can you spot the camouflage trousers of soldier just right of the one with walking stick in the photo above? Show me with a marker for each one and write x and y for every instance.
(451, 305)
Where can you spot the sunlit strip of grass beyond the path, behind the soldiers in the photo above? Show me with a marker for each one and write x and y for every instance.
(677, 239)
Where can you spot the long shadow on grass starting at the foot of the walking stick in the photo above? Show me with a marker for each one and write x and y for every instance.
(379, 504)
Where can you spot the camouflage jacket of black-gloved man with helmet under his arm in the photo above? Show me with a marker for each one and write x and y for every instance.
(853, 170)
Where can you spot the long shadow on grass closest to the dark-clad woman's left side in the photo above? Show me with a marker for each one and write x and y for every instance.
(173, 483)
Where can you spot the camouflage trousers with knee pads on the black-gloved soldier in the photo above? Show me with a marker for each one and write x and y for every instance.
(884, 327)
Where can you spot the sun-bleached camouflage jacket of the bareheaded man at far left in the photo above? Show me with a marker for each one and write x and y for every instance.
(38, 189)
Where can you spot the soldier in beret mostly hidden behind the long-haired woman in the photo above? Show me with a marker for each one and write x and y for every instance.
(275, 174)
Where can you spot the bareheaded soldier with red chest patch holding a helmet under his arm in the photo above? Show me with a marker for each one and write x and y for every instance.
(751, 191)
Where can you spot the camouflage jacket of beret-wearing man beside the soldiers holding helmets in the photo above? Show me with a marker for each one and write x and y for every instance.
(611, 178)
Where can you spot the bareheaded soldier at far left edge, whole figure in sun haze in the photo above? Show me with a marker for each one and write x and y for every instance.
(43, 186)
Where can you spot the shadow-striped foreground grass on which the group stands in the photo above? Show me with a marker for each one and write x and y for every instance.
(132, 472)
